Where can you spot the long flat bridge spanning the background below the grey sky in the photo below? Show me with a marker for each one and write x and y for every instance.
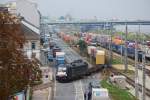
(102, 23)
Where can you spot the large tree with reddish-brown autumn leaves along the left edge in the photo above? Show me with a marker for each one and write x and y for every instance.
(16, 71)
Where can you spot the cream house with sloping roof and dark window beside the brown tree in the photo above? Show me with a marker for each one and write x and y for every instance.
(32, 37)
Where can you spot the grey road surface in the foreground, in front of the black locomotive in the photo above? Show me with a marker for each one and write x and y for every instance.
(73, 90)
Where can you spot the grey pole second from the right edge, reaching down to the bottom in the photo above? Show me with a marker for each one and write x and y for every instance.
(136, 68)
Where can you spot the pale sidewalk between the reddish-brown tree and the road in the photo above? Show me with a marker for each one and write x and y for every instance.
(44, 90)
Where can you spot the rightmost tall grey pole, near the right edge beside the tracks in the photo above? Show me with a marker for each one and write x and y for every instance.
(143, 68)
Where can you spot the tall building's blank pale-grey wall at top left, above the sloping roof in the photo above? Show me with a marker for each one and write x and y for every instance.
(27, 9)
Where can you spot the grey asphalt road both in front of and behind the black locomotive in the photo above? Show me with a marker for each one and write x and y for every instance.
(75, 89)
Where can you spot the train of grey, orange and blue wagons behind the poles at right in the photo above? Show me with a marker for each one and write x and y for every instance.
(117, 45)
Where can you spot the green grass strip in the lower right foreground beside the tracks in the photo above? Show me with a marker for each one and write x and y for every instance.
(117, 93)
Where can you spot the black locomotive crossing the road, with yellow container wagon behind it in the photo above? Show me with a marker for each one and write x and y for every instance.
(79, 68)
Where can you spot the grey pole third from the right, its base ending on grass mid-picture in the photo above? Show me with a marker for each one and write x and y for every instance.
(126, 32)
